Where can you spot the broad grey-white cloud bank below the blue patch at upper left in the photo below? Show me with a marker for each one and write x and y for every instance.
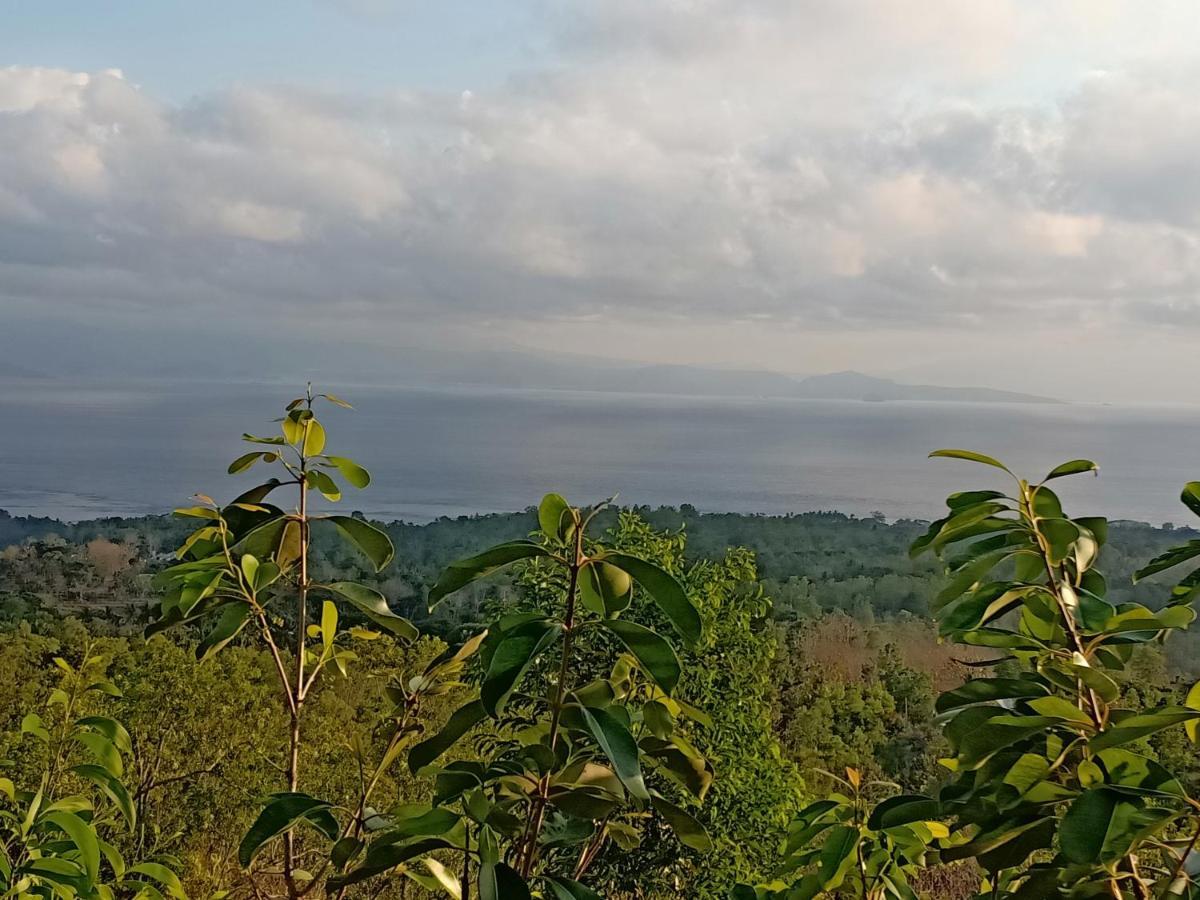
(830, 166)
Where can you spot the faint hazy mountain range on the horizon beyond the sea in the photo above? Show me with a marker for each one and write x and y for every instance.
(245, 357)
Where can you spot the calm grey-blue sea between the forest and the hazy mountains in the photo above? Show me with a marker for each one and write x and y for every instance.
(86, 451)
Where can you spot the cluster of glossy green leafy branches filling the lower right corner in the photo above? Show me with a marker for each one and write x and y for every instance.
(1052, 793)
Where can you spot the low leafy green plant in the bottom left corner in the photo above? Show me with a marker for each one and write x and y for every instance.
(57, 841)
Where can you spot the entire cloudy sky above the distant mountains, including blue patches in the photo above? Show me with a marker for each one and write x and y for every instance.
(999, 193)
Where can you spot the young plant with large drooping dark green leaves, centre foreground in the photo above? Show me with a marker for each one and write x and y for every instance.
(569, 764)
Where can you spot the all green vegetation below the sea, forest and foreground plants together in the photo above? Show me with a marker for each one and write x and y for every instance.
(625, 703)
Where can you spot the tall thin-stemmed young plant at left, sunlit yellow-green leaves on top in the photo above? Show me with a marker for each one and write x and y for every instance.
(248, 567)
